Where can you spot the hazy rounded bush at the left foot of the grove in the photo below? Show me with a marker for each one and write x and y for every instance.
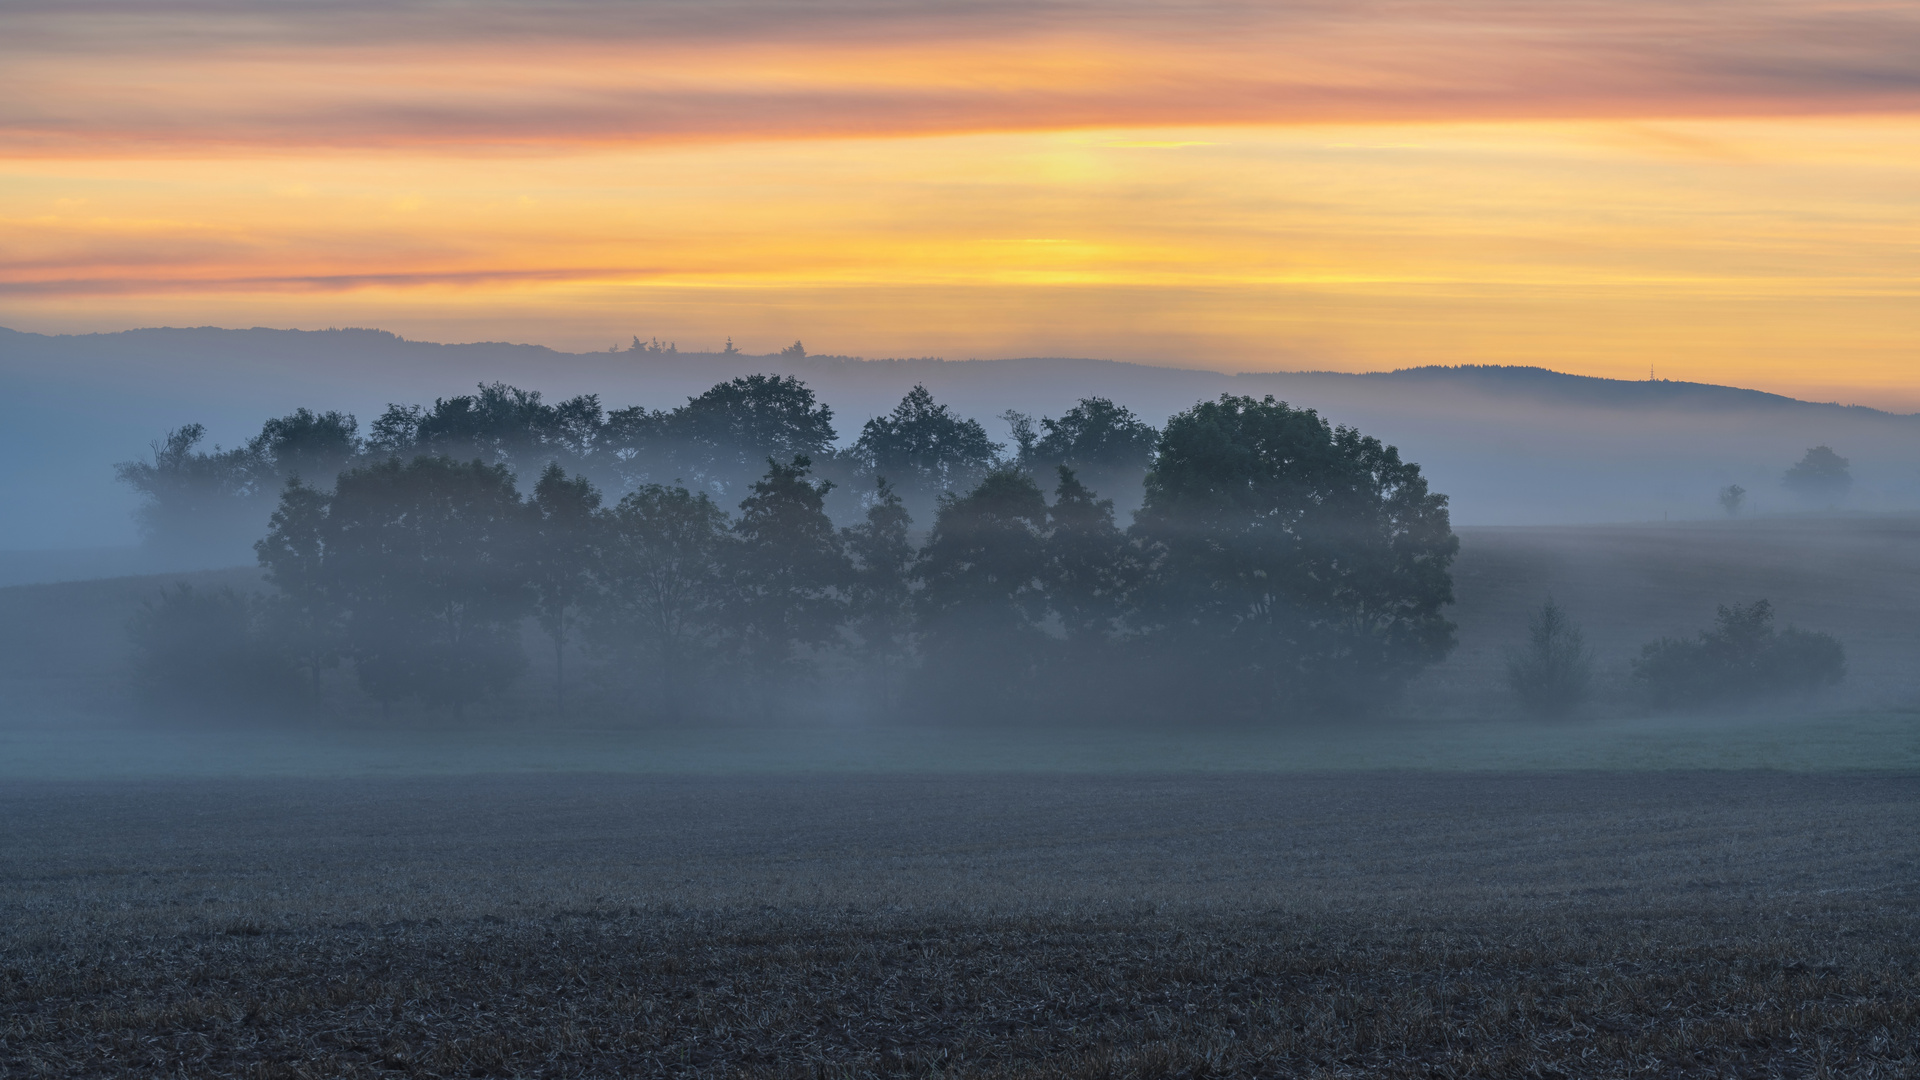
(203, 649)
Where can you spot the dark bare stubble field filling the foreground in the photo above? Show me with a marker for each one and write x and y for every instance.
(1378, 925)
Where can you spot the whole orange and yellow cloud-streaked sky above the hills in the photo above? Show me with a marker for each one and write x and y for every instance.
(1710, 191)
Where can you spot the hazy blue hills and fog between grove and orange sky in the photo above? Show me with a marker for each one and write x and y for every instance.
(1510, 447)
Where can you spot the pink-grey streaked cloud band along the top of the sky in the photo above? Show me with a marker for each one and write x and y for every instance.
(216, 78)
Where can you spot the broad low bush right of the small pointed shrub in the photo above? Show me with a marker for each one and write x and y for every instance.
(1742, 658)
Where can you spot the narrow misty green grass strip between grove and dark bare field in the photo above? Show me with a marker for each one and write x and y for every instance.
(1800, 743)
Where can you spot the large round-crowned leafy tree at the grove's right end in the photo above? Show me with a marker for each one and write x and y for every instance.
(1295, 560)
